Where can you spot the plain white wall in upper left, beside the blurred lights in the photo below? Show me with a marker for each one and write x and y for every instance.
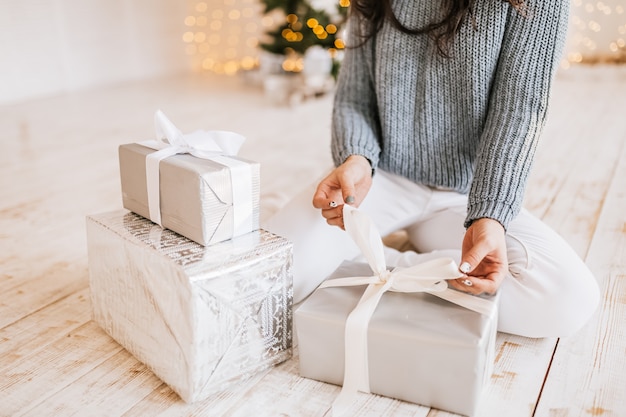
(56, 46)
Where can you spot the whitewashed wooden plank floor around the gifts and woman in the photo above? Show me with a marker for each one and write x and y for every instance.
(58, 163)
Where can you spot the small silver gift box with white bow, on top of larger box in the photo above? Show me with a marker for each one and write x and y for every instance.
(193, 184)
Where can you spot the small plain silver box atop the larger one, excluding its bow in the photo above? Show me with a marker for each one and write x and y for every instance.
(197, 197)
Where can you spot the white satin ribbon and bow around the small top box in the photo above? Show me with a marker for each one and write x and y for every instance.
(215, 145)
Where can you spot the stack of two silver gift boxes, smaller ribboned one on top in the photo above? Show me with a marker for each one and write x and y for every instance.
(204, 301)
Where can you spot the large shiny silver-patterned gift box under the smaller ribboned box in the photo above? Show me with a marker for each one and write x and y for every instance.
(202, 318)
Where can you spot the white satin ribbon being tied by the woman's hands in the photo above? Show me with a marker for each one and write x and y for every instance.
(425, 277)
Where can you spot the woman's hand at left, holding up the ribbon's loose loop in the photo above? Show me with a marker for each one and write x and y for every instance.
(349, 183)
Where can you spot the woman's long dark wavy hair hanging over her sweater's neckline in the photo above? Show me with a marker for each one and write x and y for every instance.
(375, 12)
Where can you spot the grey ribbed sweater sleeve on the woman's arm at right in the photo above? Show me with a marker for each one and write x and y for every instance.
(529, 55)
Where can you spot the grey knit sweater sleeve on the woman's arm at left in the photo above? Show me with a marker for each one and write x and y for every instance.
(355, 123)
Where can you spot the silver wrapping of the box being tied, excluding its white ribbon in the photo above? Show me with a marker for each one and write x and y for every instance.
(421, 349)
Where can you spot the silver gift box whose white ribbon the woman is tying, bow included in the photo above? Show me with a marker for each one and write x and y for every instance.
(401, 333)
